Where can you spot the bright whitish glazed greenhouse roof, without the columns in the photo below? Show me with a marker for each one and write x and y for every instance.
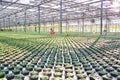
(70, 8)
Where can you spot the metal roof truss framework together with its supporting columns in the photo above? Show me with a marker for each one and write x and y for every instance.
(47, 12)
